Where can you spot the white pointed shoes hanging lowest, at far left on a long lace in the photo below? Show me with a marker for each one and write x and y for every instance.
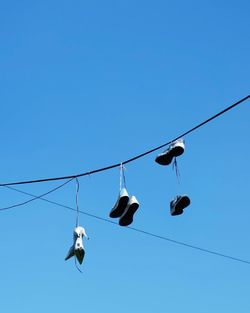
(77, 248)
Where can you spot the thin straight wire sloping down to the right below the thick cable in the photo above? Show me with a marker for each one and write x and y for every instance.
(139, 230)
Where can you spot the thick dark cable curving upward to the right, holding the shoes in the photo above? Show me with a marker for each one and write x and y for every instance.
(131, 159)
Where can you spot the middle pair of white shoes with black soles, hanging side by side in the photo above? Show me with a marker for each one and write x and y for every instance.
(124, 208)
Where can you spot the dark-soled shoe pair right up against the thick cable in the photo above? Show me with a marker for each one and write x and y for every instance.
(175, 149)
